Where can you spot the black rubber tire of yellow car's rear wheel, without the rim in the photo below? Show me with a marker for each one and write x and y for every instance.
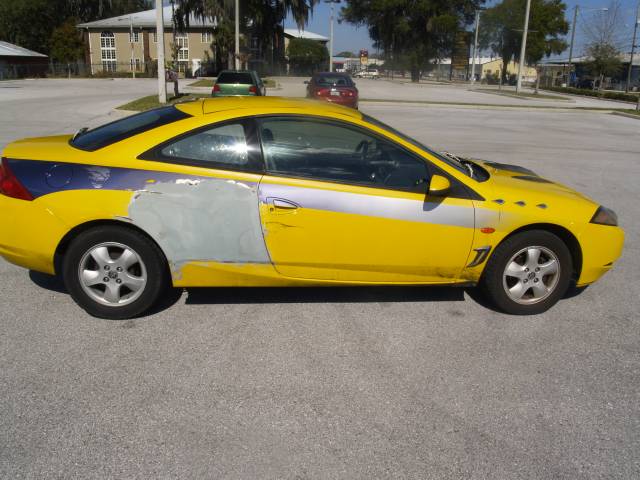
(151, 257)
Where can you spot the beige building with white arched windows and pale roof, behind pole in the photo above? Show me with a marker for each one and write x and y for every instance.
(112, 47)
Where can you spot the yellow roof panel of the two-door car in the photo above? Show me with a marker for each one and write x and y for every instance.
(275, 104)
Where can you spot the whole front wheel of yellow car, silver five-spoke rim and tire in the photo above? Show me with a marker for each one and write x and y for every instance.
(528, 273)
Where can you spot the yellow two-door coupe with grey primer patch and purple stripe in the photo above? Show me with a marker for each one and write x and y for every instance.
(274, 192)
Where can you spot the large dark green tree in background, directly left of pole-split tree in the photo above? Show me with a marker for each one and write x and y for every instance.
(418, 30)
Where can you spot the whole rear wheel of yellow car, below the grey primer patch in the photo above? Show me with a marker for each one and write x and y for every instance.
(114, 272)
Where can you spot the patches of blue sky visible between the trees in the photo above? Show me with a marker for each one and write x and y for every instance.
(348, 37)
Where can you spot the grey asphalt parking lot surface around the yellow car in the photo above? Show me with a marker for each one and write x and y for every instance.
(334, 383)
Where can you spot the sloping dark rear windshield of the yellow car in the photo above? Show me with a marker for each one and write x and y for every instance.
(127, 127)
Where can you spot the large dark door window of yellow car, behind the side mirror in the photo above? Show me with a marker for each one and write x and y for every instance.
(321, 150)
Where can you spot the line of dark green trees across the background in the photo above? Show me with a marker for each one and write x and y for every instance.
(411, 34)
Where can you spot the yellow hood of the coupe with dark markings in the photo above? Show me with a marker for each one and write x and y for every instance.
(514, 184)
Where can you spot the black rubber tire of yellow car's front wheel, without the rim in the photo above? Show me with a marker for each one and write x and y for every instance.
(494, 284)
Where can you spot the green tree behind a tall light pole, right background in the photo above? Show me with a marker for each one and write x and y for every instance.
(502, 30)
